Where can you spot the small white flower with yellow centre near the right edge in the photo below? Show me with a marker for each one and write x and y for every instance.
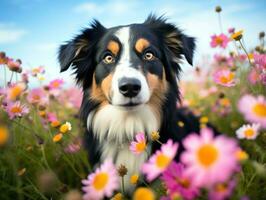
(248, 131)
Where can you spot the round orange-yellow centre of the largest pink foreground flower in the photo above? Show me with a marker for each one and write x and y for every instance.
(207, 155)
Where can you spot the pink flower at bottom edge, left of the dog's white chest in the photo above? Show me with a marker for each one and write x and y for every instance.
(103, 182)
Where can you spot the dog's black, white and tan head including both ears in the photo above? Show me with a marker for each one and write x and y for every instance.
(126, 65)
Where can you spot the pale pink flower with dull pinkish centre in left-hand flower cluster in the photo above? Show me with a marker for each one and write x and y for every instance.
(37, 95)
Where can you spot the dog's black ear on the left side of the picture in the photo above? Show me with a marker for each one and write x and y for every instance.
(78, 48)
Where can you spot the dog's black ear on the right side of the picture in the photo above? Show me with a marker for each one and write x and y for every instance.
(176, 41)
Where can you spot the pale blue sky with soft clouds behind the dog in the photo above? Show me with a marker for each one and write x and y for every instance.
(33, 29)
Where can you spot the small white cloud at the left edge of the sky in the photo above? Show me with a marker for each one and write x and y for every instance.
(10, 34)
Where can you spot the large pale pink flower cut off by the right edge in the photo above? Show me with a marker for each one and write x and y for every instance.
(253, 109)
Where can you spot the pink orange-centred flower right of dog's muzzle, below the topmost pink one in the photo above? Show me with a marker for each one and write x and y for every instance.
(224, 77)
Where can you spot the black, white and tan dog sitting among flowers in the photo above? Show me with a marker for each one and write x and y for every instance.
(129, 75)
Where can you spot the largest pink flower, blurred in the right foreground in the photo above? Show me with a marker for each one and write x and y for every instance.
(205, 156)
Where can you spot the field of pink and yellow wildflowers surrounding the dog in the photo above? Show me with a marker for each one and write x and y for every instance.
(41, 148)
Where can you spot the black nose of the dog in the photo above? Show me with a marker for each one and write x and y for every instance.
(129, 87)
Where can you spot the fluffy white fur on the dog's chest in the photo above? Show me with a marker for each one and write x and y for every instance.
(115, 127)
